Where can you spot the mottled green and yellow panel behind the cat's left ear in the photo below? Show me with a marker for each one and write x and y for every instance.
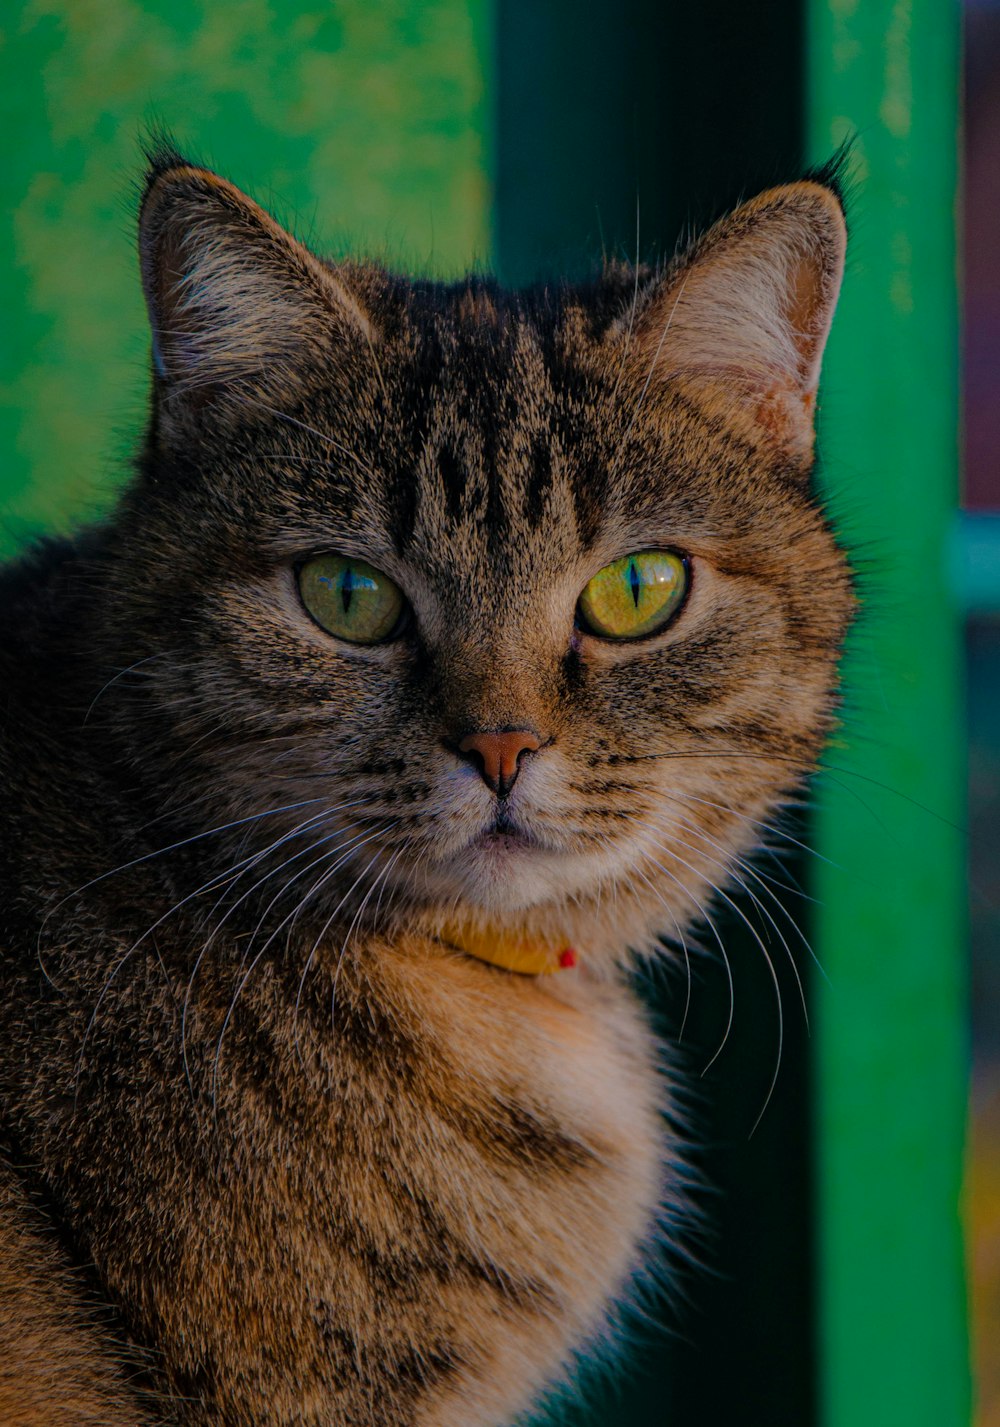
(359, 123)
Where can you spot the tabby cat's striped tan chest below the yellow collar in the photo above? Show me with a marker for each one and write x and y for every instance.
(451, 1197)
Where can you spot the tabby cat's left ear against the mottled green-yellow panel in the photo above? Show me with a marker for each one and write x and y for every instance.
(240, 310)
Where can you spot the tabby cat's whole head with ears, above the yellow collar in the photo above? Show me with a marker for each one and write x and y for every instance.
(520, 606)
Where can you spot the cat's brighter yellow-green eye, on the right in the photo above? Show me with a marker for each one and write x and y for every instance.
(636, 596)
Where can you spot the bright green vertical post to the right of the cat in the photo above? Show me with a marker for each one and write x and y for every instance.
(892, 1042)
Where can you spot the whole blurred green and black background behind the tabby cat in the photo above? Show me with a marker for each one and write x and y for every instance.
(852, 1218)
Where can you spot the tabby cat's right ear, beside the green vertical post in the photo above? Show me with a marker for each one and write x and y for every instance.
(743, 320)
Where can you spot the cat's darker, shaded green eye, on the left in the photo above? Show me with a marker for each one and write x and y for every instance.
(350, 599)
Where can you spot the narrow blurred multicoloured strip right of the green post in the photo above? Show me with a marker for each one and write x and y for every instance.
(981, 582)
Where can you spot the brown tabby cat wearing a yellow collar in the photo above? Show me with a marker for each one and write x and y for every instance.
(449, 646)
